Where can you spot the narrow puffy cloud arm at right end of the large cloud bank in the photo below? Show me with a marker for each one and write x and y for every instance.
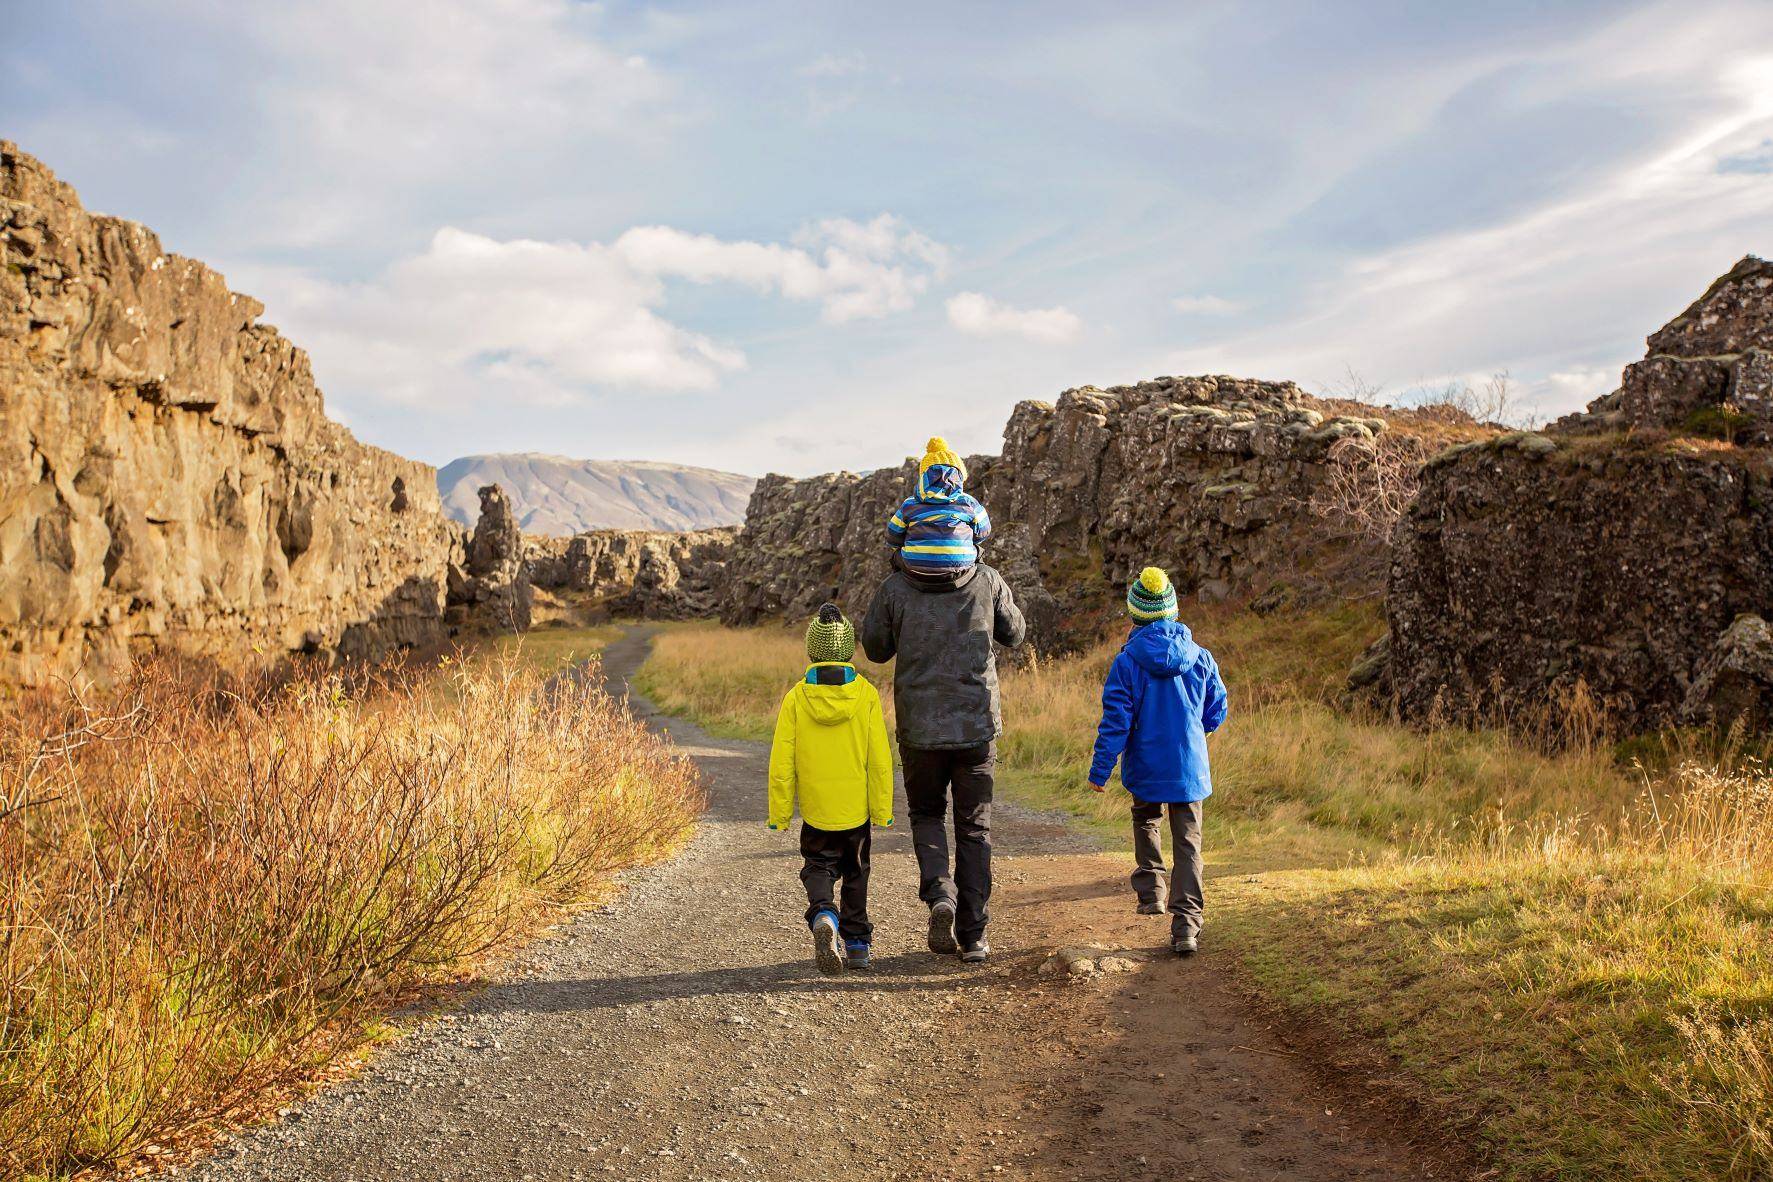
(854, 270)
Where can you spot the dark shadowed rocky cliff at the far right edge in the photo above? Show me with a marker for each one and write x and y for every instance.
(1629, 550)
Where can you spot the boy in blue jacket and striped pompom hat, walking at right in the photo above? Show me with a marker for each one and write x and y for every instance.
(1162, 701)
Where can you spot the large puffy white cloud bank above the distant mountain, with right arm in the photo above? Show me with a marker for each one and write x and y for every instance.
(473, 320)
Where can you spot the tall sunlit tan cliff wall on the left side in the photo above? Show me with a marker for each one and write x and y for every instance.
(168, 472)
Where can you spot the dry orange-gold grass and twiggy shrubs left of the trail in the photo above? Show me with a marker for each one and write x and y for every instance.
(212, 889)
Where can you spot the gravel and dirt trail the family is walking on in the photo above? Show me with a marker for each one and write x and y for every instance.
(683, 1034)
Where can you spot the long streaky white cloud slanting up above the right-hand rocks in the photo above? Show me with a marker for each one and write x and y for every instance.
(1561, 295)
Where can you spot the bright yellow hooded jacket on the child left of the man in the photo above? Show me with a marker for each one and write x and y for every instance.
(831, 752)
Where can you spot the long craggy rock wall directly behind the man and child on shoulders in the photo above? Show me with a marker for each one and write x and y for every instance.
(1210, 478)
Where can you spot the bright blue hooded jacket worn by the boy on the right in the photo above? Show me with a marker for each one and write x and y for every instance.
(1162, 701)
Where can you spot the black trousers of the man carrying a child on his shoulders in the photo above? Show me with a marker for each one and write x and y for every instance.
(928, 777)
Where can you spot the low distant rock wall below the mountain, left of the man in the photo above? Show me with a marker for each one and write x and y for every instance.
(629, 573)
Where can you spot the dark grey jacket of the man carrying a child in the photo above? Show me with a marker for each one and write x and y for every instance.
(944, 685)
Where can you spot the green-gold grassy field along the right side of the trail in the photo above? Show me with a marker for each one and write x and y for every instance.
(1563, 947)
